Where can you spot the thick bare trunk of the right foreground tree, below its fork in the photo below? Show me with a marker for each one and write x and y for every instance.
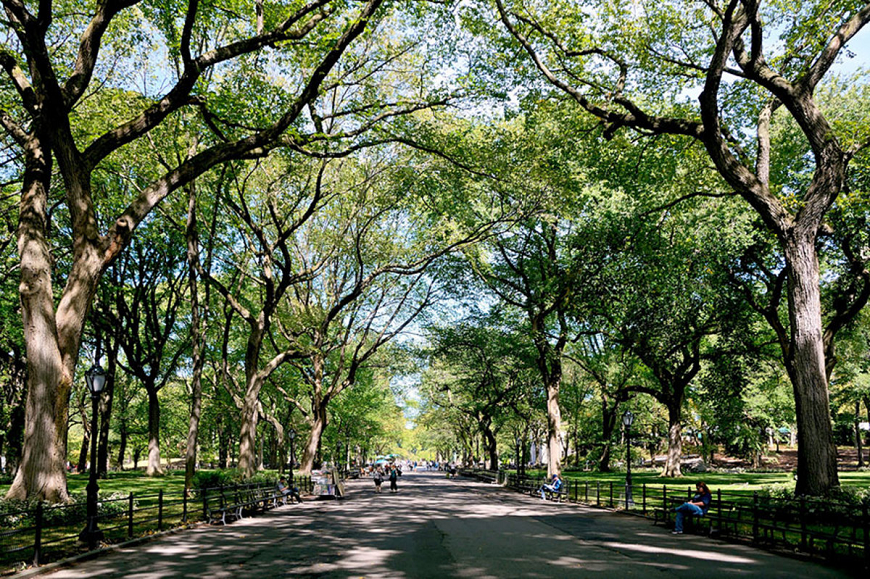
(817, 456)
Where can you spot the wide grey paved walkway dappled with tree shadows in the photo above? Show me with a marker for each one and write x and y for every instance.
(439, 528)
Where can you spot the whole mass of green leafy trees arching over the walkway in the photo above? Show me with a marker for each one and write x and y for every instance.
(634, 183)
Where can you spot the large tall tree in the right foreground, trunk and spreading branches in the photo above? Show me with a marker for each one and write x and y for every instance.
(761, 60)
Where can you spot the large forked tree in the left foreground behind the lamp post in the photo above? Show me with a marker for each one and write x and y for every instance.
(53, 139)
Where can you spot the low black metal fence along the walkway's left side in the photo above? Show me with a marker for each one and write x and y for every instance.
(51, 532)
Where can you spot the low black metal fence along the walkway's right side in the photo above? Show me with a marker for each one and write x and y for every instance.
(834, 530)
